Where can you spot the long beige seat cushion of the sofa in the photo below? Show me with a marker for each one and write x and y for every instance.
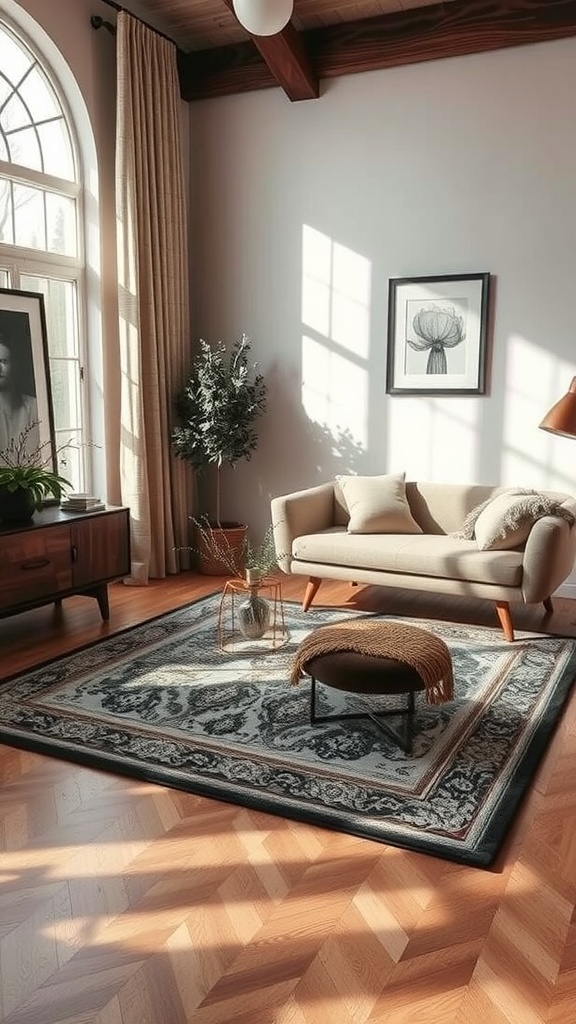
(423, 554)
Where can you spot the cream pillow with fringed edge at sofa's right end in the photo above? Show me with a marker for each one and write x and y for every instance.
(508, 520)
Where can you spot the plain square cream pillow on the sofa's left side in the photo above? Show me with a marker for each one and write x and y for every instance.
(378, 505)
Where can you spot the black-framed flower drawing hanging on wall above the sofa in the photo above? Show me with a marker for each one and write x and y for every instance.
(438, 334)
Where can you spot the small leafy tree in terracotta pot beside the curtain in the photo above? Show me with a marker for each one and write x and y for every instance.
(217, 412)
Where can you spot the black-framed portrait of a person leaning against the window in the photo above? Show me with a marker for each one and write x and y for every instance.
(26, 408)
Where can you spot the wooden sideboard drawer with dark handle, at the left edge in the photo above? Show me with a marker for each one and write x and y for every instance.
(34, 566)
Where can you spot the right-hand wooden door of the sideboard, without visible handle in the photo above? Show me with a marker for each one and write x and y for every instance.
(101, 548)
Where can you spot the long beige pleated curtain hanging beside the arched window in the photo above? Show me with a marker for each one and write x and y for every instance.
(153, 296)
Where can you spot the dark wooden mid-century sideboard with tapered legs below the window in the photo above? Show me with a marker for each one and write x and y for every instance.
(58, 554)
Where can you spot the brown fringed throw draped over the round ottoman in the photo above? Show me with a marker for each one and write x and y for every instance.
(424, 652)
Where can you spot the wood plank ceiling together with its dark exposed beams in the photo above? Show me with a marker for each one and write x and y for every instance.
(330, 38)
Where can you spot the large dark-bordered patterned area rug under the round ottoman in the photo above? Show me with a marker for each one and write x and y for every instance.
(161, 702)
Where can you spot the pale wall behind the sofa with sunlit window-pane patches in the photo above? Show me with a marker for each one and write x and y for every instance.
(454, 166)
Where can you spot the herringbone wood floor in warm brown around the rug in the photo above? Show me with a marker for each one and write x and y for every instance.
(122, 903)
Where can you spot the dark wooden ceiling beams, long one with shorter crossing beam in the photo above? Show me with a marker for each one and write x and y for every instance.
(389, 40)
